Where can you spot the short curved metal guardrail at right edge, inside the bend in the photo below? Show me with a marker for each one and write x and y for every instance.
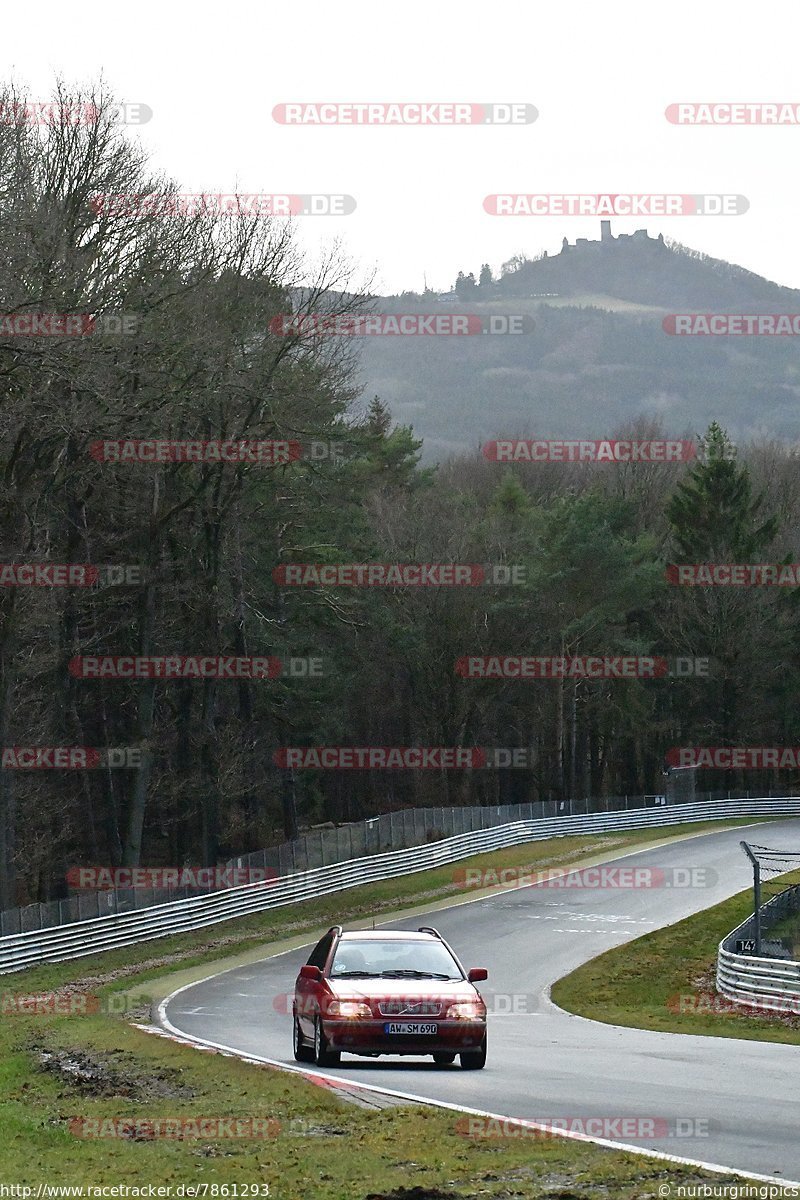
(763, 982)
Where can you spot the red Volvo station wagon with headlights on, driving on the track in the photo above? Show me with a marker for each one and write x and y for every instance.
(388, 993)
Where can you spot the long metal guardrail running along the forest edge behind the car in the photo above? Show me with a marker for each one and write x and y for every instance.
(89, 938)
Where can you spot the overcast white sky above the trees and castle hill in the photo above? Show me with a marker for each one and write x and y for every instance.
(600, 76)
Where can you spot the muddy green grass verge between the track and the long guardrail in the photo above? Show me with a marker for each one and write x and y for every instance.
(58, 1071)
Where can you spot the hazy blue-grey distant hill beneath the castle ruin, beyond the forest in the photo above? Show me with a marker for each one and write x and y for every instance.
(598, 356)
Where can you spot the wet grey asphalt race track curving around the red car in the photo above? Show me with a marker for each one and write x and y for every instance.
(715, 1100)
